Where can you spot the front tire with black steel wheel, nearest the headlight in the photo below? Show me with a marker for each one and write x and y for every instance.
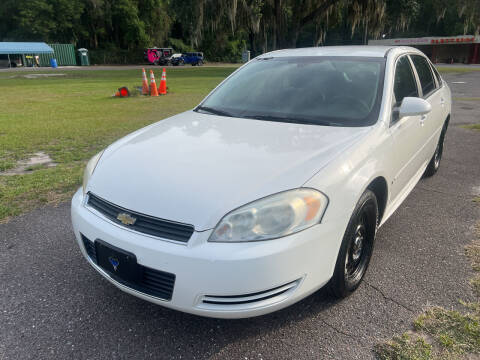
(357, 247)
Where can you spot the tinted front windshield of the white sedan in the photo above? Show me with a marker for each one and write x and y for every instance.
(339, 91)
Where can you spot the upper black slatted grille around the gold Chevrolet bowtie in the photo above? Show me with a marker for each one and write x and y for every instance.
(145, 224)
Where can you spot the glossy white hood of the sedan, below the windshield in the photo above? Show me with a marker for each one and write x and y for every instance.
(194, 168)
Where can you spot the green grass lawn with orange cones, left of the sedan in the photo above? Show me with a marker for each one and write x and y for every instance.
(72, 117)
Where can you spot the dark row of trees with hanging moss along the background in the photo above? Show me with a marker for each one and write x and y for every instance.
(222, 28)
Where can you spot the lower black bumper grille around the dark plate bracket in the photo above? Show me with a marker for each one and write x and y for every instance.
(152, 282)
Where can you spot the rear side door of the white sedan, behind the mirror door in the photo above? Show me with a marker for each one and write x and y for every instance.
(433, 121)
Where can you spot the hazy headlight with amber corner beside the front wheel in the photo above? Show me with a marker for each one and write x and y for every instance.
(272, 217)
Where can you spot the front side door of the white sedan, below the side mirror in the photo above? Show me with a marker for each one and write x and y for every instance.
(407, 134)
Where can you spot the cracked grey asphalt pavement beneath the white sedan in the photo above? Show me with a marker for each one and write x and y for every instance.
(53, 305)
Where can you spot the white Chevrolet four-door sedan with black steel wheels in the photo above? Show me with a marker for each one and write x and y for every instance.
(273, 187)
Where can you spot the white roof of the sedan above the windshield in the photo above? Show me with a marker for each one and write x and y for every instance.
(356, 50)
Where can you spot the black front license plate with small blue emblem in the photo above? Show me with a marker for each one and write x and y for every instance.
(119, 263)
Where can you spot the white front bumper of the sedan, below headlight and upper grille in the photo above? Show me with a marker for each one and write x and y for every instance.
(219, 279)
